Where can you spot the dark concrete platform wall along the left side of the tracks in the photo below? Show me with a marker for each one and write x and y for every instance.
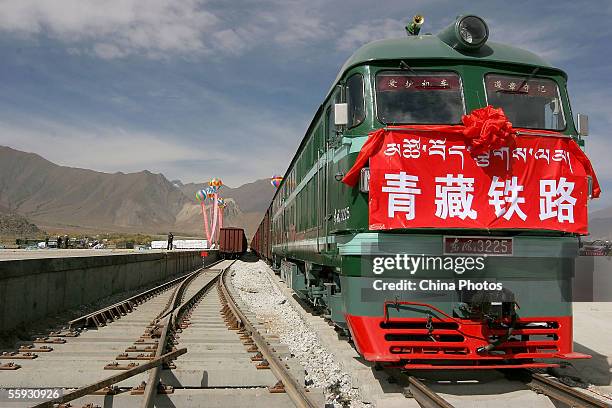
(32, 289)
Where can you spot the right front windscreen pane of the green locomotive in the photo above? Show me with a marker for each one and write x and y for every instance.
(530, 103)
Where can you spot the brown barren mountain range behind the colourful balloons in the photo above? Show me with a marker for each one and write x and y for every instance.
(60, 198)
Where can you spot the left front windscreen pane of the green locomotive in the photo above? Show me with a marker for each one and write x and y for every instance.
(419, 98)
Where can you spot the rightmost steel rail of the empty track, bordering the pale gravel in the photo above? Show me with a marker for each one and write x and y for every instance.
(298, 394)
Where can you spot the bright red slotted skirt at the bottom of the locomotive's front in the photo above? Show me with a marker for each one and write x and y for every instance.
(397, 340)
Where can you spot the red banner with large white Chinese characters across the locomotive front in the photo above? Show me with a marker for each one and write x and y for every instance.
(428, 178)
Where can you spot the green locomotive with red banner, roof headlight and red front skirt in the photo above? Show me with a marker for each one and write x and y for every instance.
(435, 204)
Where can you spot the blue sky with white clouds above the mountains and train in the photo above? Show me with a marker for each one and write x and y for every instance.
(195, 89)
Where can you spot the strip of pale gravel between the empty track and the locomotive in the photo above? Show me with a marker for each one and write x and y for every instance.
(263, 297)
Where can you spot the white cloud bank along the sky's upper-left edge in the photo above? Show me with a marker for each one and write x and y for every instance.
(156, 28)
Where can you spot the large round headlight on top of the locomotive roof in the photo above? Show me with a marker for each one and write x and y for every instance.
(466, 32)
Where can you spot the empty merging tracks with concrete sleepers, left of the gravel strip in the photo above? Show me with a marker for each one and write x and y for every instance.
(178, 344)
